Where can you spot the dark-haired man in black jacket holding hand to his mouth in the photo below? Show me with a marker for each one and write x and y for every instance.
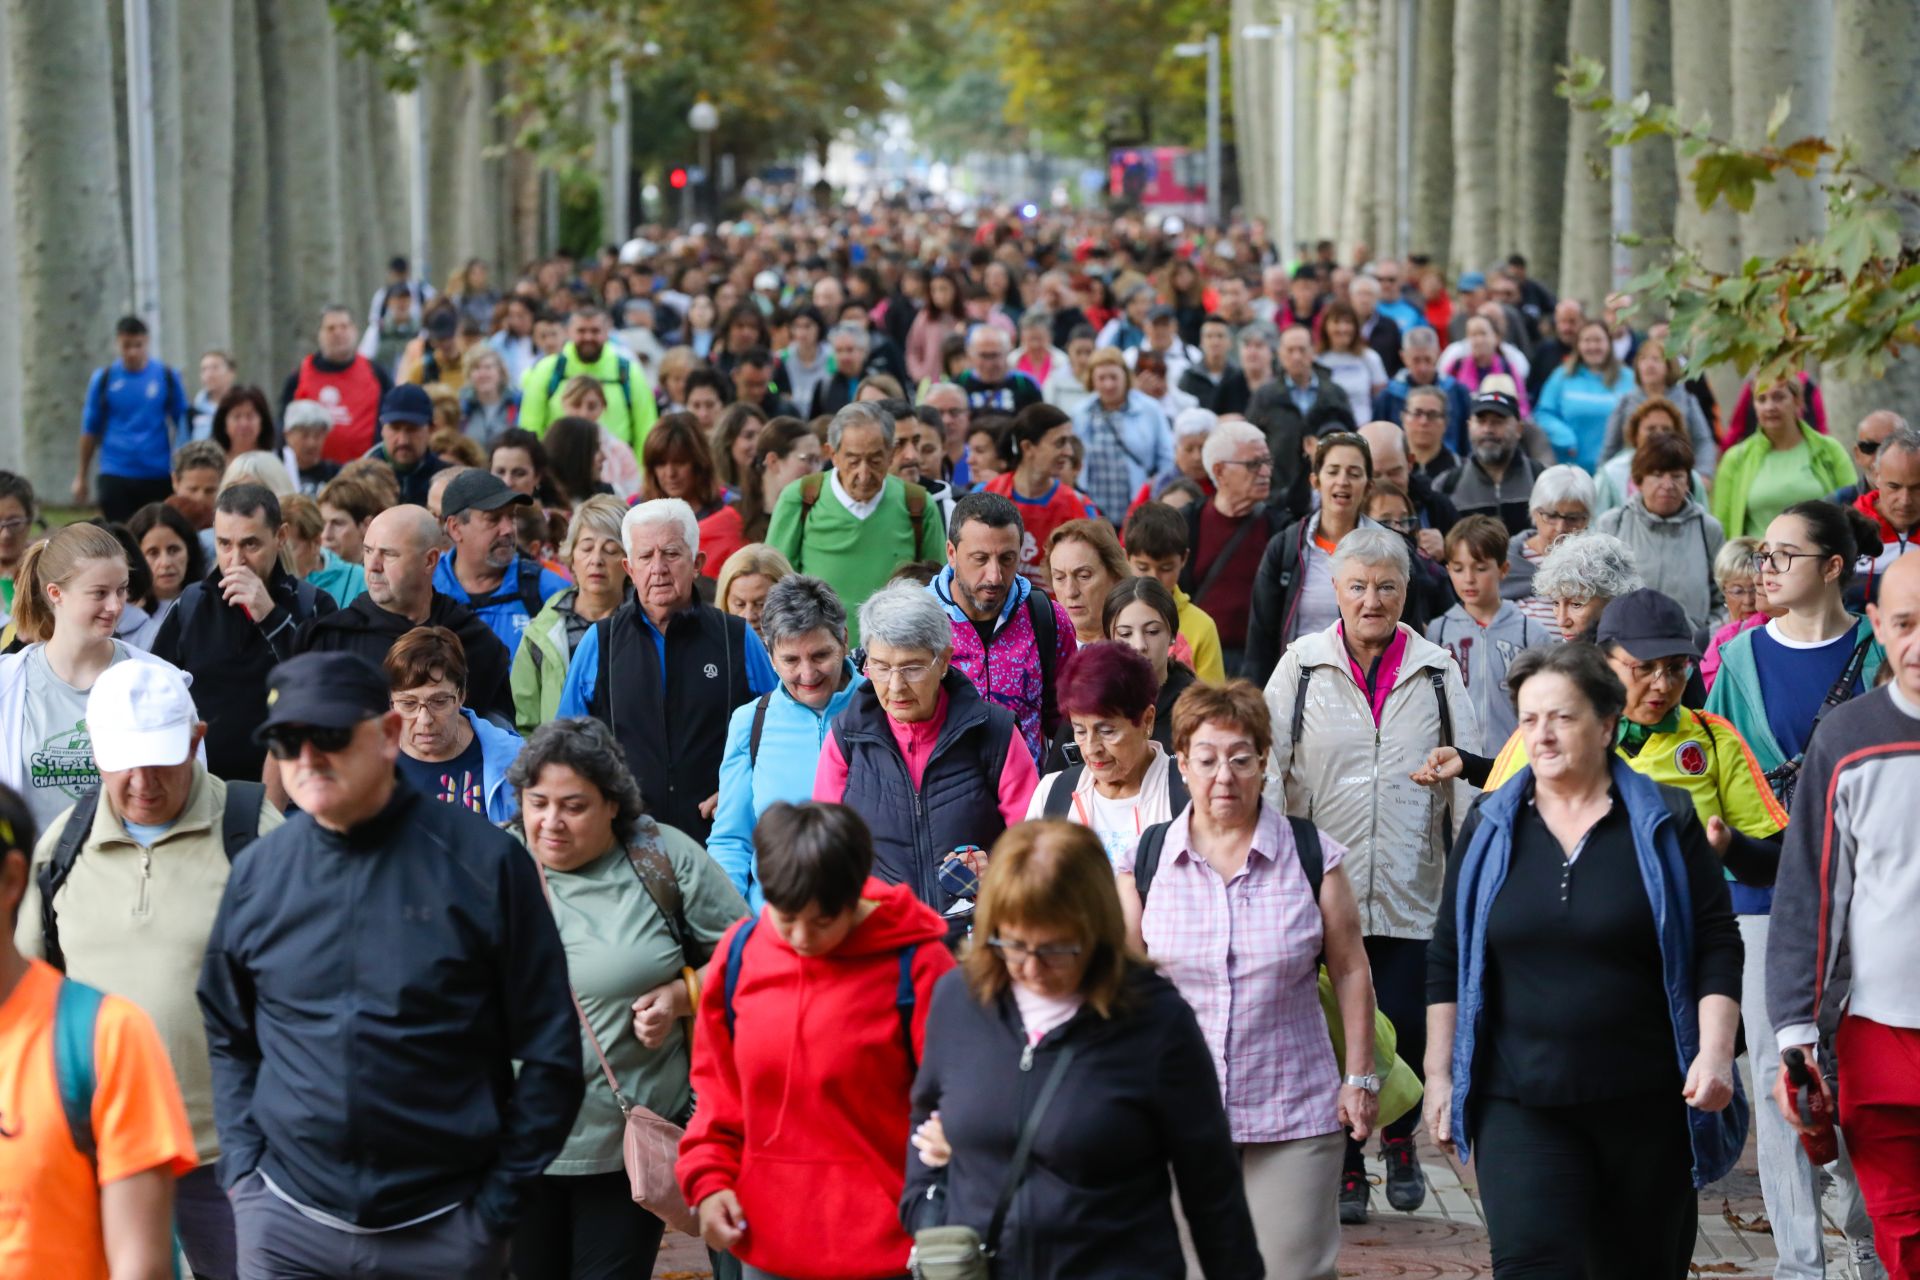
(235, 627)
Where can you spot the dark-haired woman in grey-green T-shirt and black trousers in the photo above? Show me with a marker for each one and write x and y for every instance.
(640, 909)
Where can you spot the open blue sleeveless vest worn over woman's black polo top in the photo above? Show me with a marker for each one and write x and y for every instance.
(1483, 868)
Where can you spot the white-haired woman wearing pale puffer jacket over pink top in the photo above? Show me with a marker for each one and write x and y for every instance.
(1356, 711)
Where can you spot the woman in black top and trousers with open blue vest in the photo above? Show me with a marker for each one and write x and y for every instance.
(1591, 1122)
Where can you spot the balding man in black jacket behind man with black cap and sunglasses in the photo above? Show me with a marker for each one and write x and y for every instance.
(400, 552)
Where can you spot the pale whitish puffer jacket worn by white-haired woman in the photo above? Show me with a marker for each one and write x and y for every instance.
(1351, 778)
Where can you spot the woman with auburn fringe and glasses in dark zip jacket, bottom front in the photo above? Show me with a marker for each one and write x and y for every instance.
(1059, 1026)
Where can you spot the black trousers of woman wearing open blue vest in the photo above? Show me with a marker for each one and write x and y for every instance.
(1587, 1193)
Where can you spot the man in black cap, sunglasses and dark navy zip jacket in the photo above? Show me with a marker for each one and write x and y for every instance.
(395, 1051)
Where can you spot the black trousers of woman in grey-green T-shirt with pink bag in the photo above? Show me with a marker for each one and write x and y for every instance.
(585, 1227)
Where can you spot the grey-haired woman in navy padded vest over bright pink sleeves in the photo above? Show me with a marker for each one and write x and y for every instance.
(923, 757)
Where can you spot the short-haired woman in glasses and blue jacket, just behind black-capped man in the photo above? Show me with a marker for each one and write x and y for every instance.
(446, 751)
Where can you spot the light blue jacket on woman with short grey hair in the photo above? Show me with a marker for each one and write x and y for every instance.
(790, 751)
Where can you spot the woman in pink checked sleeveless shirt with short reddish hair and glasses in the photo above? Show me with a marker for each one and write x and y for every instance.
(1239, 907)
